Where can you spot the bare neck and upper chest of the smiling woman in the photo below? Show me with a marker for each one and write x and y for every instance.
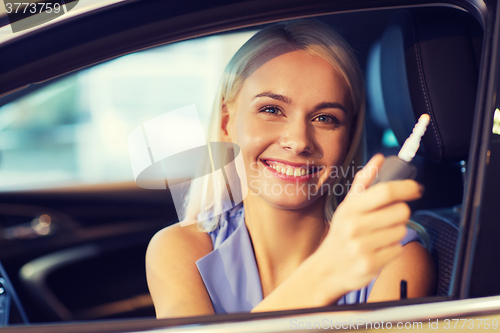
(282, 238)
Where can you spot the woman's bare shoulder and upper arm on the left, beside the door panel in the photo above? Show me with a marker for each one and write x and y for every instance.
(174, 282)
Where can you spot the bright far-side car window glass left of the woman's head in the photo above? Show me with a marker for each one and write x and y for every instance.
(75, 130)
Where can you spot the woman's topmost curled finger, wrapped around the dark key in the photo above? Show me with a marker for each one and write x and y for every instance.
(386, 193)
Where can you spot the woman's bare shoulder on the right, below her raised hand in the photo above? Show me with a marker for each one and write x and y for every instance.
(415, 265)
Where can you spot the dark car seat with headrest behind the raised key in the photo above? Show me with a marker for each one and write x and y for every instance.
(427, 61)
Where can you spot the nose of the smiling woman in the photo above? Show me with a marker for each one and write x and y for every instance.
(297, 137)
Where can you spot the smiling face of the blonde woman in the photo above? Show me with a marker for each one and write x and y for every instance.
(291, 121)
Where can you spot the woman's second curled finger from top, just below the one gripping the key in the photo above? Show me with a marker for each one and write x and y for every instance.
(388, 216)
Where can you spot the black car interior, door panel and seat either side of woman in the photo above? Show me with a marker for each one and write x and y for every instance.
(416, 60)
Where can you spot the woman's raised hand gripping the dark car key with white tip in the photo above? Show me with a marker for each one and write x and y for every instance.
(366, 230)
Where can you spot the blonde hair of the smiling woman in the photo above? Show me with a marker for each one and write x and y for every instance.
(307, 35)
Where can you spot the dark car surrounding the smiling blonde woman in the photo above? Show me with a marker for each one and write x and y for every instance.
(75, 221)
